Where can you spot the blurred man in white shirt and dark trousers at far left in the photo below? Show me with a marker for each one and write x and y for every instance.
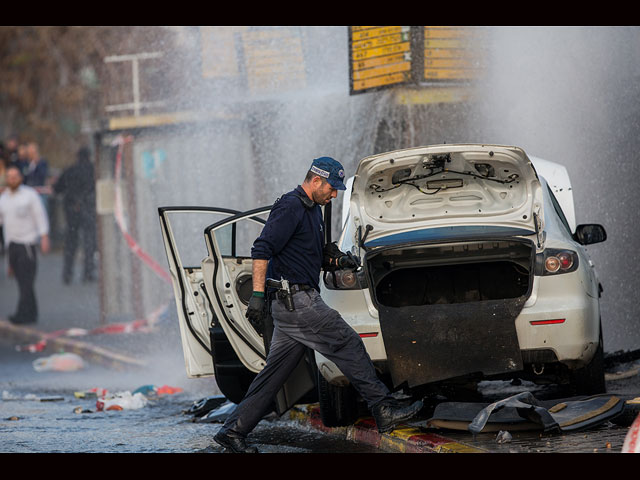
(25, 225)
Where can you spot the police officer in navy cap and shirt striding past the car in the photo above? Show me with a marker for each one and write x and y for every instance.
(291, 247)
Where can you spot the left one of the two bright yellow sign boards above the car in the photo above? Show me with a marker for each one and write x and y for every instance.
(380, 56)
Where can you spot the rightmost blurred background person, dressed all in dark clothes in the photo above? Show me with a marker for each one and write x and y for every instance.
(77, 184)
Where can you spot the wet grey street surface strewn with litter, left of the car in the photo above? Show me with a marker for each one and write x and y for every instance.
(39, 411)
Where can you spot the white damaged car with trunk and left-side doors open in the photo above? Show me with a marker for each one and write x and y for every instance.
(472, 268)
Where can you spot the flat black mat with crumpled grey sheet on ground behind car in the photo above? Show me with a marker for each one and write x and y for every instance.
(524, 412)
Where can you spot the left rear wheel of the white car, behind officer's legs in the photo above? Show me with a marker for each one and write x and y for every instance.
(338, 405)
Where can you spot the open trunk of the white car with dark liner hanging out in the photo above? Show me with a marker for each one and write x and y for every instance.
(448, 310)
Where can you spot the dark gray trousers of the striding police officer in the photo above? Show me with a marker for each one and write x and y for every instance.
(315, 325)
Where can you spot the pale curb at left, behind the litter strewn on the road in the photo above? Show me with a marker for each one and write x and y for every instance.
(86, 350)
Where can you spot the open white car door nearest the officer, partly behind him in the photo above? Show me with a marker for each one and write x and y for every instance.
(227, 273)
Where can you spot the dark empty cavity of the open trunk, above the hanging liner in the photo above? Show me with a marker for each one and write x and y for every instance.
(407, 283)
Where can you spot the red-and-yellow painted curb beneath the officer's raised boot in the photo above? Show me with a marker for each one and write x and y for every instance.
(404, 439)
